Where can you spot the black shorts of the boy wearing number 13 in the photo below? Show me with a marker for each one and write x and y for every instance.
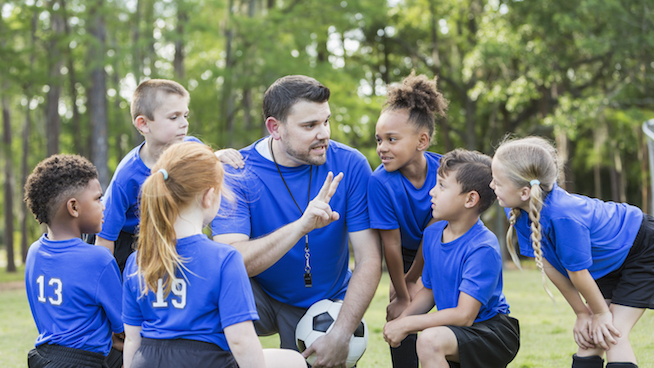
(55, 356)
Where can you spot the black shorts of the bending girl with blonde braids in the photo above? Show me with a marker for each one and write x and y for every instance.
(632, 284)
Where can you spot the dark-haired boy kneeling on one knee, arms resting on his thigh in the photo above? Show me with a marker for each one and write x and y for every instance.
(462, 276)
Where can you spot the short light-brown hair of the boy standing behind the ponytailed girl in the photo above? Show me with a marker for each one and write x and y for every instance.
(147, 96)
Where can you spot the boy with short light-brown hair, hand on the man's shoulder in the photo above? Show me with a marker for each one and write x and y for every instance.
(159, 111)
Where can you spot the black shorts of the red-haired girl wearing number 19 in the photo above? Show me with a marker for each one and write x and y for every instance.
(181, 353)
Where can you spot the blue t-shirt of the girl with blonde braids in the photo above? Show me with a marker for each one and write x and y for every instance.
(581, 233)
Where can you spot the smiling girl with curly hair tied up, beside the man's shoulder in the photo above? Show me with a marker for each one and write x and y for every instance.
(398, 191)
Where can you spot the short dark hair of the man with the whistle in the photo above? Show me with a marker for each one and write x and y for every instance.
(287, 91)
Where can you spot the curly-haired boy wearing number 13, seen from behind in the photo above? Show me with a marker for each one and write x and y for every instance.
(73, 288)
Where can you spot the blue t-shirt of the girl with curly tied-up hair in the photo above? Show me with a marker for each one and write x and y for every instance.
(395, 203)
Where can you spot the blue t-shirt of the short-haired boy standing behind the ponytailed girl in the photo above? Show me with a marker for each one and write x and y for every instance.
(121, 198)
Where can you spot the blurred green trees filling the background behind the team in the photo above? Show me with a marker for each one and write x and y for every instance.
(578, 72)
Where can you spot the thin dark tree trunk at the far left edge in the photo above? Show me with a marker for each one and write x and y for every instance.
(9, 183)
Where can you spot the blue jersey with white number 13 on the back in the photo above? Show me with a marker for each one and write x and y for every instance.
(74, 291)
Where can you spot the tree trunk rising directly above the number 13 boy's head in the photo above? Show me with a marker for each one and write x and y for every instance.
(52, 119)
